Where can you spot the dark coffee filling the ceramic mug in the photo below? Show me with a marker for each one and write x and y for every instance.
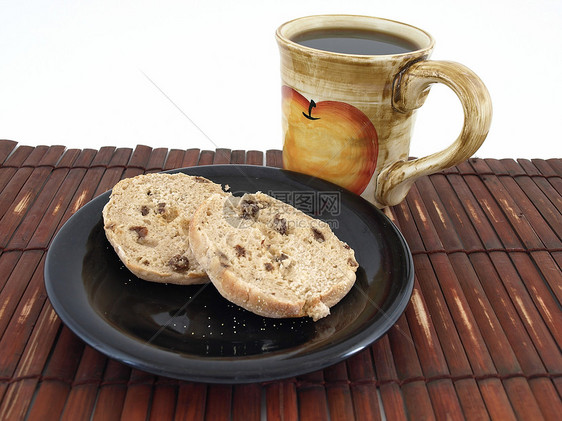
(351, 41)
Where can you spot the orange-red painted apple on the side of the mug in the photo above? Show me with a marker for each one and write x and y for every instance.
(329, 139)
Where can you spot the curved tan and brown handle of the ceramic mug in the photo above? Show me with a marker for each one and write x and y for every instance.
(410, 88)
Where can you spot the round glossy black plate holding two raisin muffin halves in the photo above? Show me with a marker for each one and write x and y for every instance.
(191, 332)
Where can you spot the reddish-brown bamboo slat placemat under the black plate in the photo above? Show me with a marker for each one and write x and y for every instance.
(480, 338)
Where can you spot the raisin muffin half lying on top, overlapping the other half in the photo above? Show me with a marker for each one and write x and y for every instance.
(270, 258)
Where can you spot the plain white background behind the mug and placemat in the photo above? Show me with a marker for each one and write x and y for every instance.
(205, 74)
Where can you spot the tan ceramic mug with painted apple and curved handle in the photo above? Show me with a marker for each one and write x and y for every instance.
(348, 117)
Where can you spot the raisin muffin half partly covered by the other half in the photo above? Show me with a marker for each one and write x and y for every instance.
(147, 220)
